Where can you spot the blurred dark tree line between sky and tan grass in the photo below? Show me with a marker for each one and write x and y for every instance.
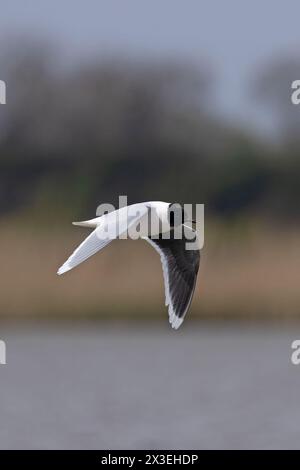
(85, 134)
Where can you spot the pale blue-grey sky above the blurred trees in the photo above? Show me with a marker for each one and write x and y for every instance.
(234, 36)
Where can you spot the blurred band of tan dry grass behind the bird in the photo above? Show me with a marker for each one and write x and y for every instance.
(242, 274)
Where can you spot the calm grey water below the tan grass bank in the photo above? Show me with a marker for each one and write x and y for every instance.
(95, 386)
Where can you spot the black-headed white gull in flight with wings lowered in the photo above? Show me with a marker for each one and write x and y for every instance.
(180, 265)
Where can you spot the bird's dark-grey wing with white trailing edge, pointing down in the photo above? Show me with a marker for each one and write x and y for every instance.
(180, 269)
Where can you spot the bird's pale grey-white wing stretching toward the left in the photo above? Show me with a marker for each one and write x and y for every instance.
(109, 227)
